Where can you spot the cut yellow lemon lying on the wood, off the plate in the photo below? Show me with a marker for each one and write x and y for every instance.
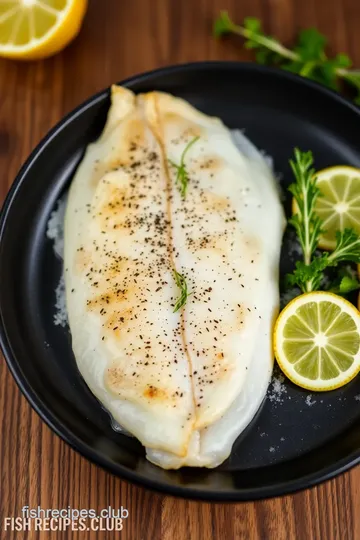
(31, 29)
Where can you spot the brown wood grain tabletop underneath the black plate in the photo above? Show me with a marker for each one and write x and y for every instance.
(120, 38)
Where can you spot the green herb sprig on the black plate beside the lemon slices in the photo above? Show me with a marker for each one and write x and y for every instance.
(309, 273)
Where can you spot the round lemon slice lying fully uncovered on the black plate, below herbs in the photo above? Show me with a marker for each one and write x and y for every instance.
(317, 341)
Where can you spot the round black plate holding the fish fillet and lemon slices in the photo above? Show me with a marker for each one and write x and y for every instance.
(297, 439)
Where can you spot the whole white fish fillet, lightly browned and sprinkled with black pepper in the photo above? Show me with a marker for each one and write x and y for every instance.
(180, 380)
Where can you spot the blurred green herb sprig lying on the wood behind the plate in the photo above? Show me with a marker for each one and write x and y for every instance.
(307, 58)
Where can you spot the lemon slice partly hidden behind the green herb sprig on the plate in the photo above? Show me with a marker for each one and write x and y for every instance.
(339, 206)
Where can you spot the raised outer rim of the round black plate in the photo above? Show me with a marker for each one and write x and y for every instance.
(50, 418)
